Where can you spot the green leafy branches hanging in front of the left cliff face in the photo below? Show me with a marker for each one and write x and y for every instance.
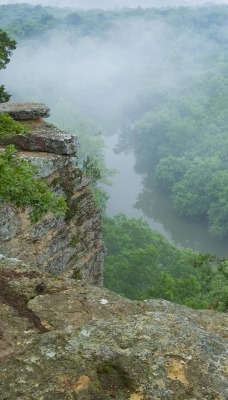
(19, 186)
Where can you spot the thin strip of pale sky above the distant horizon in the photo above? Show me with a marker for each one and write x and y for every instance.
(106, 4)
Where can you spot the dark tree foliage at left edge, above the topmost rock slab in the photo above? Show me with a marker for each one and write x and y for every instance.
(6, 48)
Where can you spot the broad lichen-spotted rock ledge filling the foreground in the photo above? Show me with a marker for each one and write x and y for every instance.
(62, 340)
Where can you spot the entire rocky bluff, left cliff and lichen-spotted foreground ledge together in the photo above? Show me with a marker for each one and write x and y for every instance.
(62, 338)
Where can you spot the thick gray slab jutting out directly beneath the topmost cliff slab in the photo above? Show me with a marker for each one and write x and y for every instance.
(45, 137)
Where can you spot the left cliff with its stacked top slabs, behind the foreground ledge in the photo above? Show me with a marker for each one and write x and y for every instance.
(72, 243)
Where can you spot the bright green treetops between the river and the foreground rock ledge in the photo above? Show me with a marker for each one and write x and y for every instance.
(141, 264)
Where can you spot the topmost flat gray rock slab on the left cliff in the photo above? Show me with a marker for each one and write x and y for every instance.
(25, 111)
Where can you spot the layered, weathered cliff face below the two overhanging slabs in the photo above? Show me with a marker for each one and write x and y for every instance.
(68, 244)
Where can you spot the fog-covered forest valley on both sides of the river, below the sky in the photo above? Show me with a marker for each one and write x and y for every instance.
(159, 77)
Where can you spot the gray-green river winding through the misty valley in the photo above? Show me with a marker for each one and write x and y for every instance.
(128, 196)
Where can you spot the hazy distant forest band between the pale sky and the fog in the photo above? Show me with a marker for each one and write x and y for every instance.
(24, 20)
